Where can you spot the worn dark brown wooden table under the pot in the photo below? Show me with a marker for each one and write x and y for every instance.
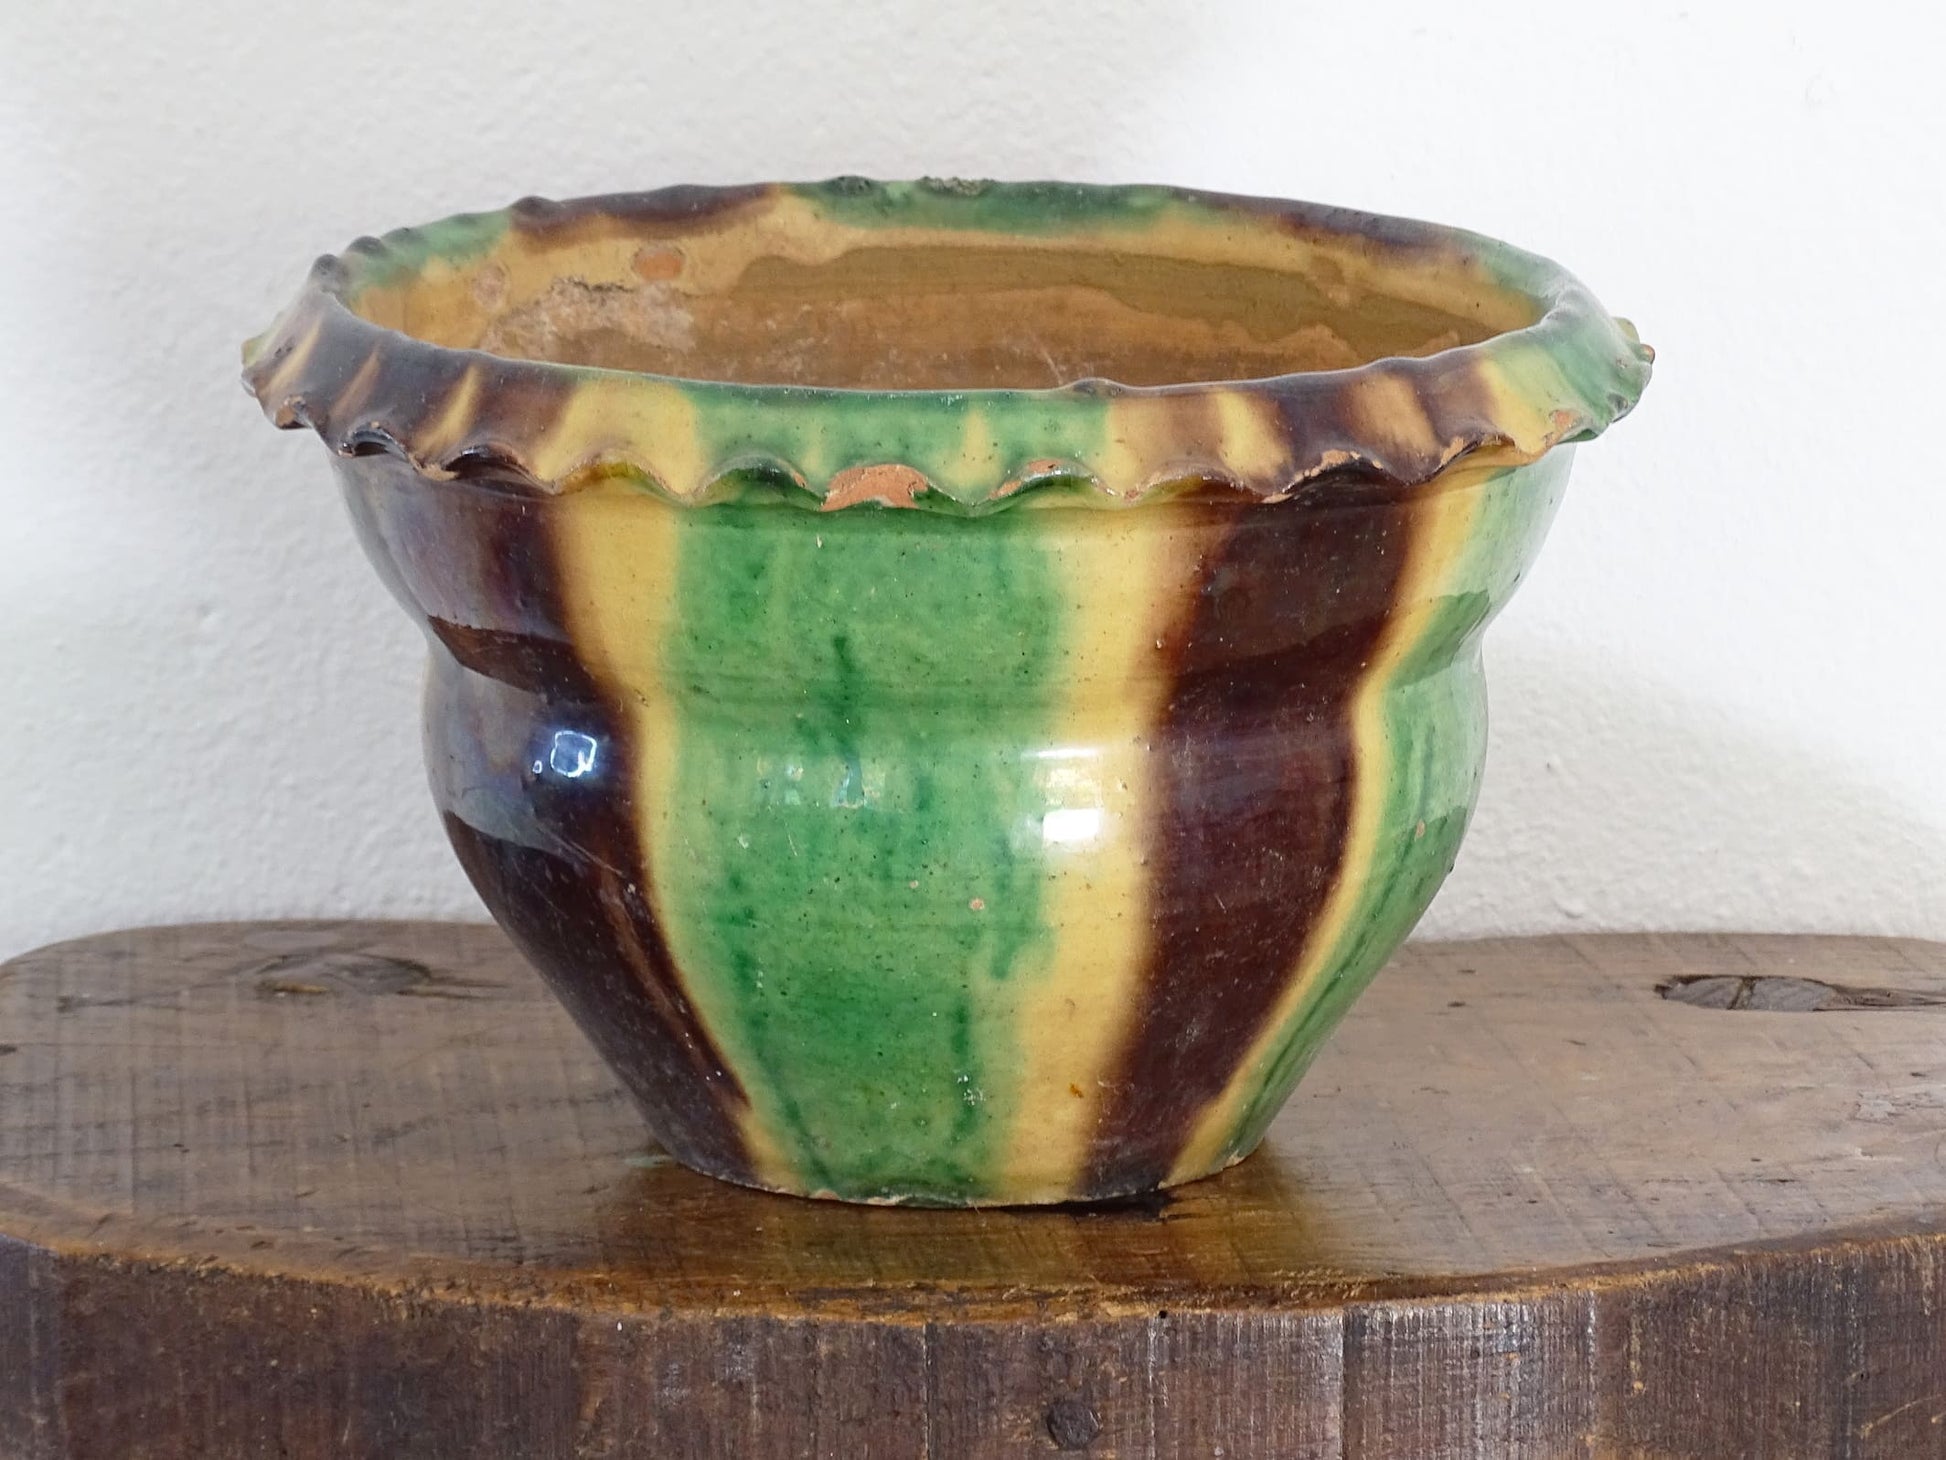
(359, 1190)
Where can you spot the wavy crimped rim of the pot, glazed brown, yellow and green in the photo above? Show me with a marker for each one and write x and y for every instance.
(546, 427)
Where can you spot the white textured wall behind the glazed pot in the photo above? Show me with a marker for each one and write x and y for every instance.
(1717, 704)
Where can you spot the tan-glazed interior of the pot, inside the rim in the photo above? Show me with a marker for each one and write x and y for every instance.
(933, 310)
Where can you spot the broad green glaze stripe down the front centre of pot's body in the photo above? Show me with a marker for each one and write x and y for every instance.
(846, 867)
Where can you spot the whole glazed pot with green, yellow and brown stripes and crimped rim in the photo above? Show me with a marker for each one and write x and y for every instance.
(956, 686)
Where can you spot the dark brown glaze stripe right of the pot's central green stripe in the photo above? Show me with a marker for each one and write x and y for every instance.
(1254, 793)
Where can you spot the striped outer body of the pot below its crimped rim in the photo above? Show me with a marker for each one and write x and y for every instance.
(896, 859)
